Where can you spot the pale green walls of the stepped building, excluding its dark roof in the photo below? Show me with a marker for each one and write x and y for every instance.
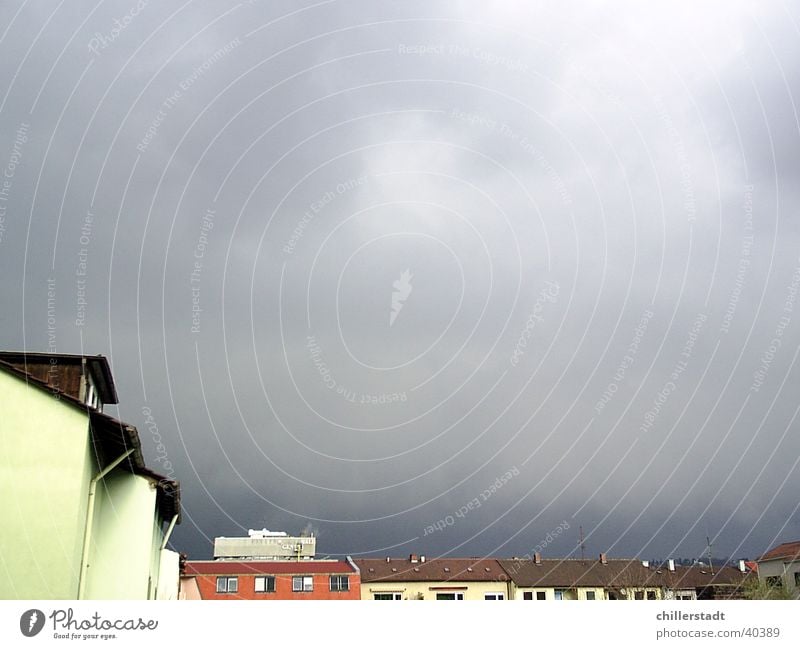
(47, 466)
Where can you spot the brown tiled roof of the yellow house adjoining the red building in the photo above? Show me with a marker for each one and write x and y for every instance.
(442, 569)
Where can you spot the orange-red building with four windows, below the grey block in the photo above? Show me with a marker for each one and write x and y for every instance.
(313, 579)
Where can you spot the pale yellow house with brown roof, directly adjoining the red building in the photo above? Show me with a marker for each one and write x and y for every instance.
(433, 579)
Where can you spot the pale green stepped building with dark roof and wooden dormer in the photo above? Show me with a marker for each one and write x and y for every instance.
(86, 518)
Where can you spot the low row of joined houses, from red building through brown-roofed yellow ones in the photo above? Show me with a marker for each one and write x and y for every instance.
(420, 578)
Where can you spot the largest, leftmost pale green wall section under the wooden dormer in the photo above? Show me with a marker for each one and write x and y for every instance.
(46, 468)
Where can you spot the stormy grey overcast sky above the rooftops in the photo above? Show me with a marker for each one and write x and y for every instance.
(424, 276)
